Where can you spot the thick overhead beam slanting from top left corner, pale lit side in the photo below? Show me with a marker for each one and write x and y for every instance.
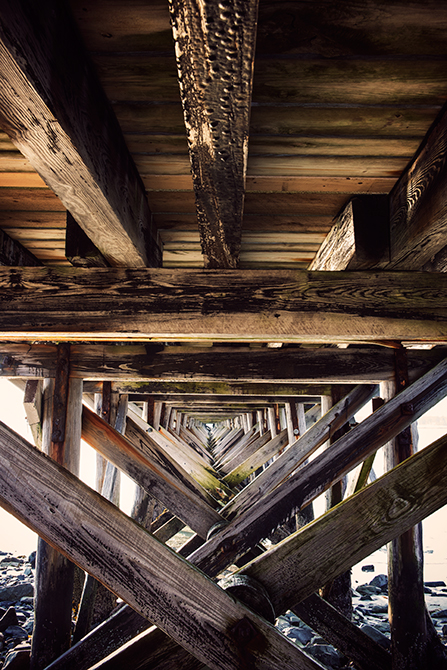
(53, 108)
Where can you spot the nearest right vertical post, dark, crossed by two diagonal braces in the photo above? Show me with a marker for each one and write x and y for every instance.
(407, 612)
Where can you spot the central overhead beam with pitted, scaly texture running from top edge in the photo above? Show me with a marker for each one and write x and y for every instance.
(214, 46)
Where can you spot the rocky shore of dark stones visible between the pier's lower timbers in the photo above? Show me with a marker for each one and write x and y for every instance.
(369, 596)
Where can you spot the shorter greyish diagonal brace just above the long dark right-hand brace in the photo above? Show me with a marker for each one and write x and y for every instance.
(299, 451)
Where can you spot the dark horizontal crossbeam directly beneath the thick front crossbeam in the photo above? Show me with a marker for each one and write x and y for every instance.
(290, 371)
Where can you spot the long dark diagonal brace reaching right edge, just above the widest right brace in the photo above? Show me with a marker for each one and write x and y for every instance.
(300, 489)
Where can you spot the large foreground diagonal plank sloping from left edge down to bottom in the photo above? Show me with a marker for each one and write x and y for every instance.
(151, 578)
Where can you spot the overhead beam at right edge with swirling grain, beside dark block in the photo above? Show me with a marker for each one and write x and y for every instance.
(418, 210)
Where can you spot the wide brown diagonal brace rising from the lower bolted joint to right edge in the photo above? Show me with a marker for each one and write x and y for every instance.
(355, 528)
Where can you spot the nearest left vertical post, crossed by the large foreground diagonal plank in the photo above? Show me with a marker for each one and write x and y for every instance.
(61, 439)
